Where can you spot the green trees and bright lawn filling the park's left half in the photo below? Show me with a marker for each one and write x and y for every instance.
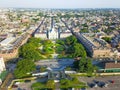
(31, 50)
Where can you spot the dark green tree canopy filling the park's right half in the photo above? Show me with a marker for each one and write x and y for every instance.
(70, 48)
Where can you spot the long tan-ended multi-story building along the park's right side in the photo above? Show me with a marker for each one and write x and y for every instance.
(95, 47)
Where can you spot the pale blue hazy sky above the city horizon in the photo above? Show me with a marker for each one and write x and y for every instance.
(60, 3)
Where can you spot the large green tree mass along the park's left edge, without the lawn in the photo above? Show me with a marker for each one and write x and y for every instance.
(31, 49)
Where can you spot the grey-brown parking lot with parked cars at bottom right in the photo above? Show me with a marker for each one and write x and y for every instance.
(103, 80)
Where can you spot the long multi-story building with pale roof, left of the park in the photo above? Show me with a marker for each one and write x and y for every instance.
(9, 46)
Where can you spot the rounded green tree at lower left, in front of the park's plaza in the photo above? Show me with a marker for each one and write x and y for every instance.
(24, 67)
